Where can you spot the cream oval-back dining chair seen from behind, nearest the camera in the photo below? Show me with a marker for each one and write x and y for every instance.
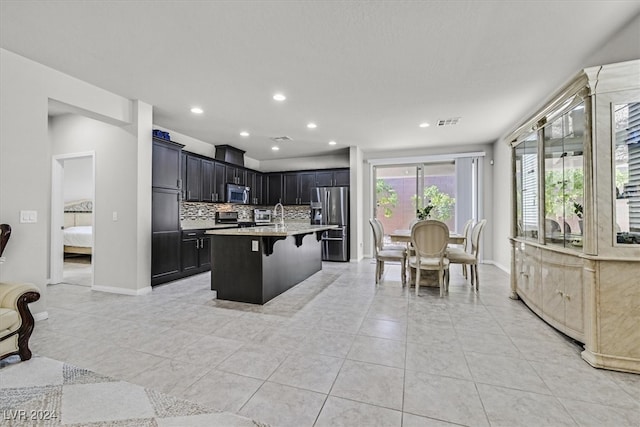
(429, 239)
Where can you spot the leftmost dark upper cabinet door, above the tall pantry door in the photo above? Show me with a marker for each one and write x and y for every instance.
(166, 164)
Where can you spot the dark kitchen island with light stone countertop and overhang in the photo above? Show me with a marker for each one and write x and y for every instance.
(256, 264)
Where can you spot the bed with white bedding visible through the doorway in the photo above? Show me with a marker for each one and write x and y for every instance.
(78, 227)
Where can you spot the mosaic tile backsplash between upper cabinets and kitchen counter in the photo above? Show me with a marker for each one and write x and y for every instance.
(198, 211)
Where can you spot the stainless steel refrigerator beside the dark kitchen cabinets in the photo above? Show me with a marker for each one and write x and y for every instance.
(330, 205)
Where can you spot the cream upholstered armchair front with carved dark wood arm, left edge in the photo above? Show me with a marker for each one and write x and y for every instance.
(16, 321)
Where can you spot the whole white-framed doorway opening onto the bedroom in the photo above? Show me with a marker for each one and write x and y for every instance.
(72, 217)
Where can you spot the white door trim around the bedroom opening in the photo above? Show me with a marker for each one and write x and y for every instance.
(57, 213)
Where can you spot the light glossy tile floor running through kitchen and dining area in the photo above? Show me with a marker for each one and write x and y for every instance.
(339, 350)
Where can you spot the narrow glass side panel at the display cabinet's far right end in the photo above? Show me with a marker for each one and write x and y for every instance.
(626, 148)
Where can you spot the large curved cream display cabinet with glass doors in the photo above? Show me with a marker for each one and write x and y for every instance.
(576, 213)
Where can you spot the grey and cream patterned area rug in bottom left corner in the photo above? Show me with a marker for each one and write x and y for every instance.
(46, 392)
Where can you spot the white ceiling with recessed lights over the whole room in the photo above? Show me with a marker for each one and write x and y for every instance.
(367, 72)
